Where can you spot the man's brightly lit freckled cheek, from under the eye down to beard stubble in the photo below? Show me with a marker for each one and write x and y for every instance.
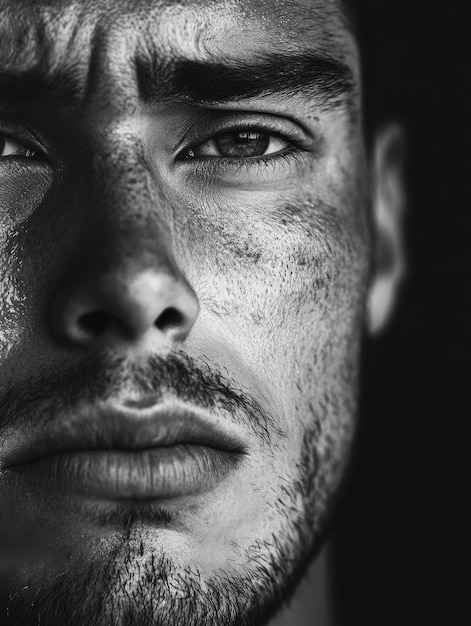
(286, 293)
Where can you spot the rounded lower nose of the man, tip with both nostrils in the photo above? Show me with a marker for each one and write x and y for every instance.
(125, 306)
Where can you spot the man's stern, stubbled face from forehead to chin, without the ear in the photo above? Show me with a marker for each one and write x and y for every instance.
(184, 266)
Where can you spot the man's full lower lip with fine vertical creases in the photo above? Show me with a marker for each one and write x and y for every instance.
(164, 472)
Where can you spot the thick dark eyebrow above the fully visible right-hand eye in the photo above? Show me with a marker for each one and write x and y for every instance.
(328, 81)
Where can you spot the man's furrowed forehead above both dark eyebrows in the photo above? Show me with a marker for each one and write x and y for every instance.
(70, 32)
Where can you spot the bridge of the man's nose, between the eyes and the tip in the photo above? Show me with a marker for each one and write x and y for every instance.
(132, 213)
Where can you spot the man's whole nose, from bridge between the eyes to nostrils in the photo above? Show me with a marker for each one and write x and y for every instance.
(121, 282)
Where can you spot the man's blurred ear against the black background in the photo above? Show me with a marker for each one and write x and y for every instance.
(387, 211)
